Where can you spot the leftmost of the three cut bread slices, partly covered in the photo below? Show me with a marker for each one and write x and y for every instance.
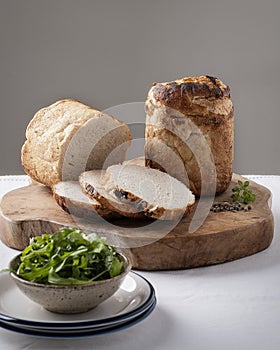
(71, 198)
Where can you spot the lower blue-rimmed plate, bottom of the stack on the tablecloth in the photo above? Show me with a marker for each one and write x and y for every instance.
(47, 333)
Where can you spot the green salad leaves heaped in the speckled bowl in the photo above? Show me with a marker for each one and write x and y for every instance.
(68, 257)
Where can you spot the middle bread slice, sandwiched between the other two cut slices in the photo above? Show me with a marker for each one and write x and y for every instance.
(91, 183)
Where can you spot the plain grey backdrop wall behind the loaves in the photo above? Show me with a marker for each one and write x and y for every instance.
(106, 53)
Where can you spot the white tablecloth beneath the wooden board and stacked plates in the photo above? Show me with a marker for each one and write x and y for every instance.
(235, 305)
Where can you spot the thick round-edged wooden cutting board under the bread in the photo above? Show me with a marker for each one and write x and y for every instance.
(223, 236)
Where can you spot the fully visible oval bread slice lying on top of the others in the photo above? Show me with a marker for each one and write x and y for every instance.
(152, 191)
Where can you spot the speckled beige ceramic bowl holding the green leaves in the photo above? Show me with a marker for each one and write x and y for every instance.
(69, 299)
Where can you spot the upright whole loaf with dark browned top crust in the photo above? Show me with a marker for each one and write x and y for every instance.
(189, 132)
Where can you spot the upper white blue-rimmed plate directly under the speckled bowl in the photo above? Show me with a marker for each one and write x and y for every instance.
(134, 297)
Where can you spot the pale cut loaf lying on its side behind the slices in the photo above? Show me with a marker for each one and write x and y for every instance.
(67, 138)
